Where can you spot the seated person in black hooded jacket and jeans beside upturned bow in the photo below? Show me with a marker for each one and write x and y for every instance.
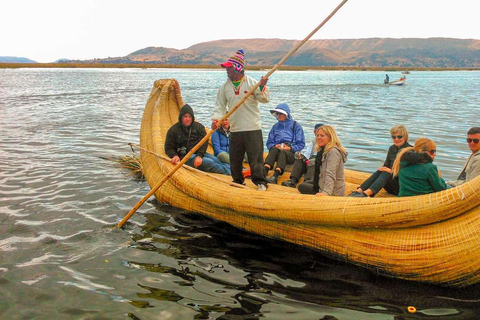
(183, 136)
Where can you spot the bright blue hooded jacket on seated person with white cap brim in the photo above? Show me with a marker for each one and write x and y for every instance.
(283, 132)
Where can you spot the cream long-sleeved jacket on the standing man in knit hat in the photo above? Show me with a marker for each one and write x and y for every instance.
(247, 116)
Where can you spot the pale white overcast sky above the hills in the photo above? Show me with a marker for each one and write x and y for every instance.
(49, 30)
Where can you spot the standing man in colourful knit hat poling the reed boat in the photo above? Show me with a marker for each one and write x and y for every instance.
(245, 127)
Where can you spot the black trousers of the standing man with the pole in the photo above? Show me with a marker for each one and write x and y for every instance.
(250, 142)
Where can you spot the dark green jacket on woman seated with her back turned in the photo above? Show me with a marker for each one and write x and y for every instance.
(418, 175)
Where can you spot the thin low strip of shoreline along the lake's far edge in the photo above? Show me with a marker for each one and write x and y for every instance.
(170, 66)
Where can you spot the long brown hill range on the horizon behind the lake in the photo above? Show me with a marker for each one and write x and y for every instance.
(372, 52)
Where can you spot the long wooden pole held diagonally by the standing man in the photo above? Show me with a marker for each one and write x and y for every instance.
(232, 110)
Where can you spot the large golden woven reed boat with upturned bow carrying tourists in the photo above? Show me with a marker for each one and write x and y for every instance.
(432, 238)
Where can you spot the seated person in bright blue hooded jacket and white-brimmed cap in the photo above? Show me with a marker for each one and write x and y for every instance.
(285, 138)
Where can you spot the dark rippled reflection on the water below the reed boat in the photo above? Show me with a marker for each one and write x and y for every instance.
(230, 274)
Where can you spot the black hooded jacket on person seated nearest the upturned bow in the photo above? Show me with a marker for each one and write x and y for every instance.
(181, 139)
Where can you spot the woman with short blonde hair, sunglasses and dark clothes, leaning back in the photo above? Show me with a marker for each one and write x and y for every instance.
(382, 178)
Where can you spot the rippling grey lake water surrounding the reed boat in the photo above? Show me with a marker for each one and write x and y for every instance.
(59, 198)
